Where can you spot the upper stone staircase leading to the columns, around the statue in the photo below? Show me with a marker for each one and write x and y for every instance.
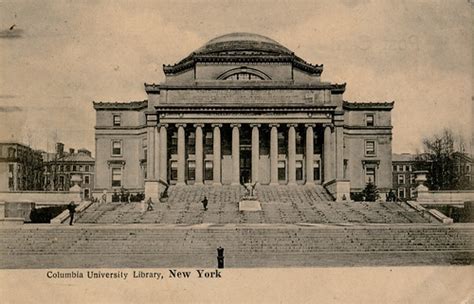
(280, 204)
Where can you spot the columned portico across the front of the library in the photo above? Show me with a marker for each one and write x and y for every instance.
(274, 150)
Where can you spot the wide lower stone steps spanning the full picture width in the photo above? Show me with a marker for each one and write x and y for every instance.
(61, 246)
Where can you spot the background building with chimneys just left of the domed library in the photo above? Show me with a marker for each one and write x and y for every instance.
(61, 166)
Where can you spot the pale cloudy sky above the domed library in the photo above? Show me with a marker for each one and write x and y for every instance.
(56, 57)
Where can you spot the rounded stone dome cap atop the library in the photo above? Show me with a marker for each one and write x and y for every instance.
(242, 42)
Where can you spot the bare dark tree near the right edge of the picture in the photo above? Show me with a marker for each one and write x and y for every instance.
(443, 162)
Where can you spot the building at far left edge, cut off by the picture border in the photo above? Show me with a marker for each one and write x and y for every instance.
(20, 167)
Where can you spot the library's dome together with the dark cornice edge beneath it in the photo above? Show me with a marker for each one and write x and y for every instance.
(242, 47)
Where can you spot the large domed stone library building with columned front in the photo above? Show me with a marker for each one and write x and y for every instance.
(242, 108)
